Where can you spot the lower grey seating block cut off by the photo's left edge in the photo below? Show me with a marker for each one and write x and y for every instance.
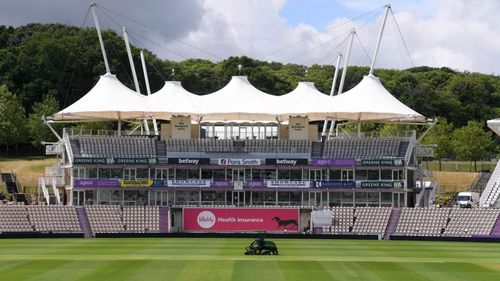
(14, 218)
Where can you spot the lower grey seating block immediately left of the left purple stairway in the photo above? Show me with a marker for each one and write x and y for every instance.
(56, 218)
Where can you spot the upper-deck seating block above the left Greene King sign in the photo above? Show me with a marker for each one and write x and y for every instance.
(110, 146)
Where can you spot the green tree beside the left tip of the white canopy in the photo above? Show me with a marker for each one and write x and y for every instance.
(35, 126)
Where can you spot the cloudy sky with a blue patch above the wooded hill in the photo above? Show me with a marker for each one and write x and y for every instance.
(461, 34)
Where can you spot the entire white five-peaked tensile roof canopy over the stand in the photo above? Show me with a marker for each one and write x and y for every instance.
(239, 100)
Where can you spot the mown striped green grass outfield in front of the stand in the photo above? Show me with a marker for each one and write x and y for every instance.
(222, 259)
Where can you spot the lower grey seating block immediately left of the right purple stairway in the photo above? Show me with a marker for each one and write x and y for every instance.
(371, 220)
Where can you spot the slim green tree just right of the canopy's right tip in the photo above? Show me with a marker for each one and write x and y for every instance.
(441, 135)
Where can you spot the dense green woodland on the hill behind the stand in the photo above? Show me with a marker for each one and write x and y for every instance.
(46, 67)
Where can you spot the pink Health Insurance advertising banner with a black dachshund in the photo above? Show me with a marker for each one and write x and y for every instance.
(241, 219)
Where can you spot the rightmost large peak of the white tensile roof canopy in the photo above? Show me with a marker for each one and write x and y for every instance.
(370, 101)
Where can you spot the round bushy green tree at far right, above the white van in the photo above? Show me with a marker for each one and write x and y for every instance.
(472, 142)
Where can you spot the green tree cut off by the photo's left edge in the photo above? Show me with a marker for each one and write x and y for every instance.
(12, 119)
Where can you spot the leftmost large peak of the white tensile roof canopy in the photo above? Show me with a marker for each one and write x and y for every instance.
(109, 99)
